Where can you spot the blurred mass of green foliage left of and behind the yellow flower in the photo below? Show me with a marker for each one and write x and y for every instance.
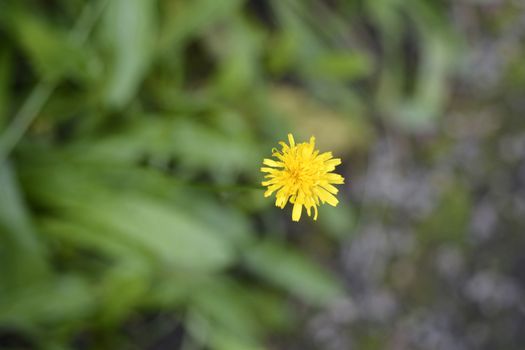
(132, 133)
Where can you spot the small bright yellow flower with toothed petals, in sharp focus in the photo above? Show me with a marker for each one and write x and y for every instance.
(302, 175)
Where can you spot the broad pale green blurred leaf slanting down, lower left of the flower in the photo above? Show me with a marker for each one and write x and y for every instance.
(78, 194)
